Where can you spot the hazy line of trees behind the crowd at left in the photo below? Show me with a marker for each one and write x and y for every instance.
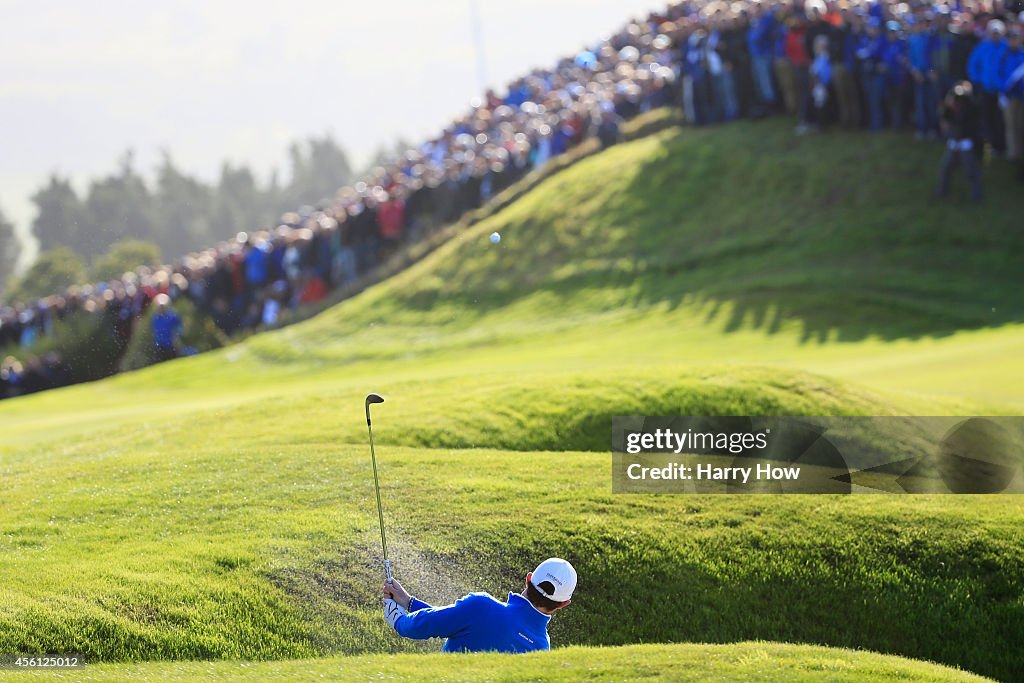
(122, 217)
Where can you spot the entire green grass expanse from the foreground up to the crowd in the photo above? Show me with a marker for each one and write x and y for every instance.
(220, 507)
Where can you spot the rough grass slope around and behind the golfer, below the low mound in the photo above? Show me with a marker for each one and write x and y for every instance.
(186, 545)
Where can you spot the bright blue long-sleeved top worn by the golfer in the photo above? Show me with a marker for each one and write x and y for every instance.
(480, 623)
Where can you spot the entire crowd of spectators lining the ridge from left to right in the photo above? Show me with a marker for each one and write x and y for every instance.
(856, 65)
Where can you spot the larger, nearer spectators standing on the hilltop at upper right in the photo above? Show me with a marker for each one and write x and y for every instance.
(873, 65)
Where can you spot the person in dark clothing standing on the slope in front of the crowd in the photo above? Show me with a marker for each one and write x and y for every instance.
(960, 124)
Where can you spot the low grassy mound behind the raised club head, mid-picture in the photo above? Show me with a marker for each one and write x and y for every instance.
(565, 412)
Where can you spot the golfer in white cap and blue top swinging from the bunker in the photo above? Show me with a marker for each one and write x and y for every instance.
(481, 623)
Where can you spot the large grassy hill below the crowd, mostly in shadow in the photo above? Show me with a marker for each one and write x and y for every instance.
(837, 234)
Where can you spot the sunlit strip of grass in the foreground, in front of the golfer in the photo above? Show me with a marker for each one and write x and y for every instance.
(729, 664)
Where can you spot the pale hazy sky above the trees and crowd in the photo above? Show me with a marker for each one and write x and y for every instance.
(209, 80)
